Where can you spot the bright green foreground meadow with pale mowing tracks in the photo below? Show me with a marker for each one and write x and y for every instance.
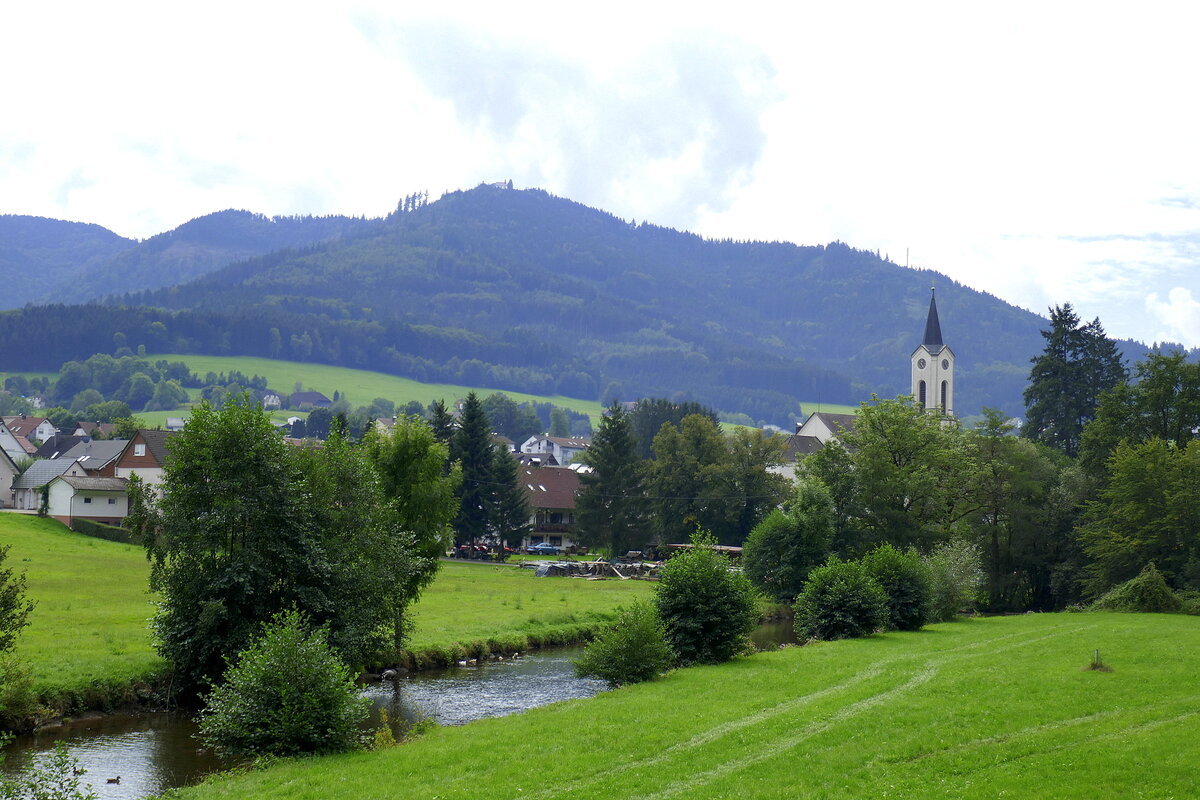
(983, 708)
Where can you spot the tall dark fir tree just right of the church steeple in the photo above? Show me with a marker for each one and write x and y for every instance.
(1079, 364)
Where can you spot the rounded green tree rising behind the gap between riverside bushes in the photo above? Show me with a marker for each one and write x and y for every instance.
(787, 545)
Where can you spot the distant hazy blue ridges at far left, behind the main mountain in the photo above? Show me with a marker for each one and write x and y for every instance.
(74, 263)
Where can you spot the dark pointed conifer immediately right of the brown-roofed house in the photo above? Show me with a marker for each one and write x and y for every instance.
(611, 509)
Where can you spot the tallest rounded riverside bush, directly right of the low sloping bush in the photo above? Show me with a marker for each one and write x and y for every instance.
(709, 610)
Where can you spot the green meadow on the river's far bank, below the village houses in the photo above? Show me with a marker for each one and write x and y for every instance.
(91, 627)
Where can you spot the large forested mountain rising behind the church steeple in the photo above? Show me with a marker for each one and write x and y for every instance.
(520, 290)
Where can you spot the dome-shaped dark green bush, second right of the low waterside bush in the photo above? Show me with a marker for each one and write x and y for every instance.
(841, 601)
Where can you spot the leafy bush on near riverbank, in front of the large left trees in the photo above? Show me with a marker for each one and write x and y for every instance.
(289, 694)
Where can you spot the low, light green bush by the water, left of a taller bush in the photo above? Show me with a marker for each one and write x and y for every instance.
(633, 651)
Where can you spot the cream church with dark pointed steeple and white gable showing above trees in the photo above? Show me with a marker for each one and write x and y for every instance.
(933, 388)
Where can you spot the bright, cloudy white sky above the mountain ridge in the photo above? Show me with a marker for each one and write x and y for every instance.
(1043, 153)
